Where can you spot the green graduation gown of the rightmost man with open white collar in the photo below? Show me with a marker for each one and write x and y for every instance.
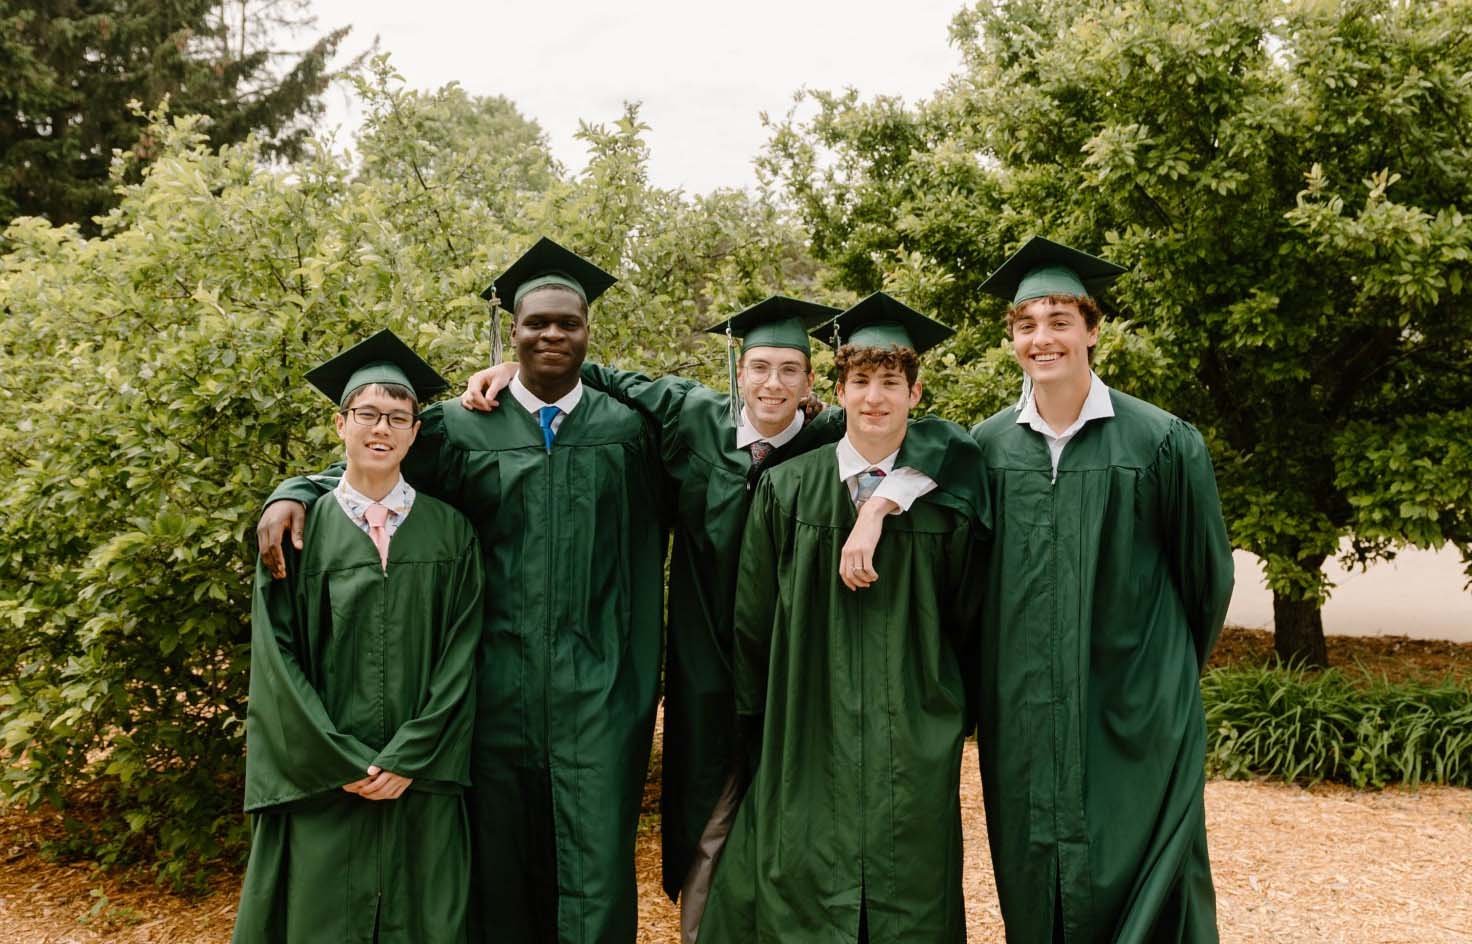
(1105, 596)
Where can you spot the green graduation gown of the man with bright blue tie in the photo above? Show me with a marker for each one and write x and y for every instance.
(570, 658)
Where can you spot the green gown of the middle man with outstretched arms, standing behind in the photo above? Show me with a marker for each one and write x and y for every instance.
(713, 481)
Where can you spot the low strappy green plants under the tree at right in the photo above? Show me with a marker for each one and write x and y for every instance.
(1308, 727)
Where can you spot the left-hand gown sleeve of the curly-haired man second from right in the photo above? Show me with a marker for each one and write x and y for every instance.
(756, 610)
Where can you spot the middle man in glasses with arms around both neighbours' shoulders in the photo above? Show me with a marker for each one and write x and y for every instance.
(716, 447)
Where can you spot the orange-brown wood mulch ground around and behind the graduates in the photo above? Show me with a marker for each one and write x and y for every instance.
(1326, 865)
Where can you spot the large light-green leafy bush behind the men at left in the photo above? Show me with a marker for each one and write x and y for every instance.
(152, 381)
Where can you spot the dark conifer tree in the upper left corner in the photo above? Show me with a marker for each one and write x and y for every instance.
(73, 68)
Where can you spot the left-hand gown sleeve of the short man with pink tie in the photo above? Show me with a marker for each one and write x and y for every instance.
(294, 747)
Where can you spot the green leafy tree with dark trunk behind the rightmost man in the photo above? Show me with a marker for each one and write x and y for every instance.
(1287, 182)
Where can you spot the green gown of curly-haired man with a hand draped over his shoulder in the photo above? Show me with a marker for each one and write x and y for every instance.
(862, 706)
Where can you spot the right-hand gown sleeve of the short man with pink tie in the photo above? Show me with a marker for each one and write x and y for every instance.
(435, 744)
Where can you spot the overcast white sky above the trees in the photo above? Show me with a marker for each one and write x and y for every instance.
(704, 71)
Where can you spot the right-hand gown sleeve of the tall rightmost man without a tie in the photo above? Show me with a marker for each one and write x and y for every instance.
(1200, 553)
